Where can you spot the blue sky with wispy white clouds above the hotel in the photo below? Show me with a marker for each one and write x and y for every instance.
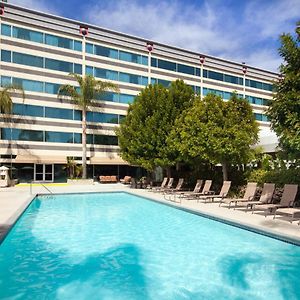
(239, 30)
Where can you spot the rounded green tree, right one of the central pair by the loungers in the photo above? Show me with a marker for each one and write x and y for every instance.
(216, 131)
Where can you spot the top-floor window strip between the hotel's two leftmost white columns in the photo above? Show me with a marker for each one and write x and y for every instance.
(116, 54)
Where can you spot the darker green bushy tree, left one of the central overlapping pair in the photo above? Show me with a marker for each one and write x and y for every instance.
(149, 121)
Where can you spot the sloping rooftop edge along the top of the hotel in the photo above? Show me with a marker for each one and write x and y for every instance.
(5, 4)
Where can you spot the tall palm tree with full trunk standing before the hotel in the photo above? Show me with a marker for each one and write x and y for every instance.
(90, 89)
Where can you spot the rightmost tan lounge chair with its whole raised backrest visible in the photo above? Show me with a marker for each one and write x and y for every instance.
(287, 200)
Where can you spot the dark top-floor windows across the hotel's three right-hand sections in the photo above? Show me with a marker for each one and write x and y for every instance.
(181, 68)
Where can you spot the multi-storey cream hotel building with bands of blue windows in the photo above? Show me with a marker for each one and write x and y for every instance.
(39, 50)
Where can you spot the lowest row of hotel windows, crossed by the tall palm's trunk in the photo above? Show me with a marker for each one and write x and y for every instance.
(55, 137)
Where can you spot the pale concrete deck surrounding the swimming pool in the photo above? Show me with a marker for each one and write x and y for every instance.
(14, 200)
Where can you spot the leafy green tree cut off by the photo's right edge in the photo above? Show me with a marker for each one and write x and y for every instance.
(284, 110)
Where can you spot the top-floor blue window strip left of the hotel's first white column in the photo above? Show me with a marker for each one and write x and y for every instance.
(40, 37)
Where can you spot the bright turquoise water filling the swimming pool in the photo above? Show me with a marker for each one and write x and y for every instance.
(118, 246)
